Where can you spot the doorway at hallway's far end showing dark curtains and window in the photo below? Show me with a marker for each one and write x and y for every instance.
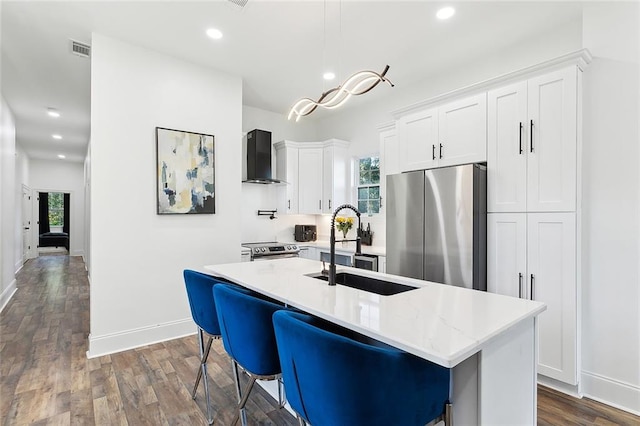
(54, 222)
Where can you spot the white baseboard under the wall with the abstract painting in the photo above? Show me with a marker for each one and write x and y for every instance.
(131, 339)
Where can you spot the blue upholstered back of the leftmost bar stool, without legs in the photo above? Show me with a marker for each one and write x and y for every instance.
(200, 294)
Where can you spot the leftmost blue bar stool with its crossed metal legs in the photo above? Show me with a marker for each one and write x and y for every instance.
(203, 310)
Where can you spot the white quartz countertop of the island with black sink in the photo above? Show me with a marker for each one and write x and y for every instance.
(441, 323)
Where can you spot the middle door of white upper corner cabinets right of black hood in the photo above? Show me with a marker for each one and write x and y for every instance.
(310, 180)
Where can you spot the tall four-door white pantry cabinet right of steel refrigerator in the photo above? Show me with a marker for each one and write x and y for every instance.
(532, 201)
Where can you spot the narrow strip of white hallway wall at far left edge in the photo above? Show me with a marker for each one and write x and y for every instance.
(7, 202)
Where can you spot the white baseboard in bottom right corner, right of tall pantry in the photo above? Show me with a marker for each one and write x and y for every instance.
(615, 393)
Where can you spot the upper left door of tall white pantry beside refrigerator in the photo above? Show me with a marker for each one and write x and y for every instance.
(507, 149)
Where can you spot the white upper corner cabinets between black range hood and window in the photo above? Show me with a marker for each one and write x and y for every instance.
(316, 174)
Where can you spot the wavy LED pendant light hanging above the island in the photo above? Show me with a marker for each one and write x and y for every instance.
(358, 84)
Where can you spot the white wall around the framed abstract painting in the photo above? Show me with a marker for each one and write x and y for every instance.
(137, 256)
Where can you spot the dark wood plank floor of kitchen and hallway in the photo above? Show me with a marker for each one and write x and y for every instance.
(45, 377)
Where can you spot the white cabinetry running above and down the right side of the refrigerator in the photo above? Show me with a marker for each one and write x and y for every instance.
(529, 122)
